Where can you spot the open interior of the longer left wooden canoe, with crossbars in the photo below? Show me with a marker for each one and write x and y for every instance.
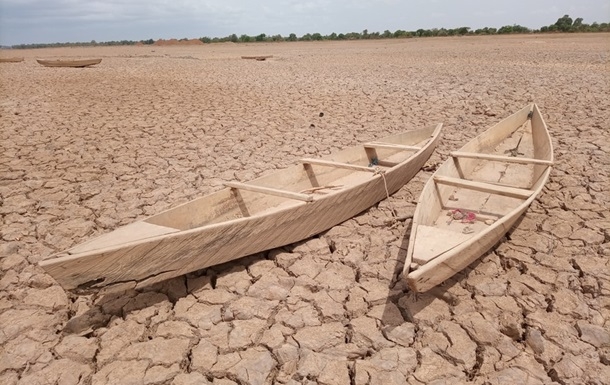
(298, 184)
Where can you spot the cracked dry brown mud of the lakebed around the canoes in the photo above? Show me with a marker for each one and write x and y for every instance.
(84, 151)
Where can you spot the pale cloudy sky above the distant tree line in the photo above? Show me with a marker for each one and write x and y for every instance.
(50, 21)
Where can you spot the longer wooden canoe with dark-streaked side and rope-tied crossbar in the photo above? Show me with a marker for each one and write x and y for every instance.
(245, 218)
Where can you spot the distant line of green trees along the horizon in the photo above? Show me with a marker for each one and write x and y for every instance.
(563, 24)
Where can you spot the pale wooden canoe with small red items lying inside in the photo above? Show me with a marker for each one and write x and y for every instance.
(475, 197)
